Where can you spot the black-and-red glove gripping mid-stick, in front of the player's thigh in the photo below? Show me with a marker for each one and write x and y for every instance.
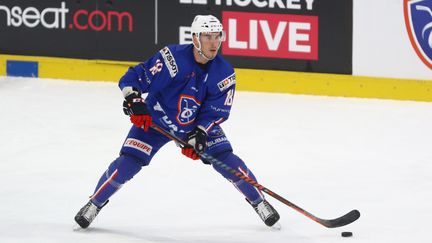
(197, 140)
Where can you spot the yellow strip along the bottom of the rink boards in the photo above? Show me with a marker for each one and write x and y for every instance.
(247, 79)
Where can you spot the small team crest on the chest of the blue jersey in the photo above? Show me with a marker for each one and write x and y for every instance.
(187, 109)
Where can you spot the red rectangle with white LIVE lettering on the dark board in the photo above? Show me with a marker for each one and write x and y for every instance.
(271, 35)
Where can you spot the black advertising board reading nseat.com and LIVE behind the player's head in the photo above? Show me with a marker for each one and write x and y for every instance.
(295, 35)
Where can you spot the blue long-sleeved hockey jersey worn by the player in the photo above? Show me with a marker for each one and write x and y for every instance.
(182, 94)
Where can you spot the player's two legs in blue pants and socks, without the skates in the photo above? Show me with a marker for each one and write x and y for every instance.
(140, 147)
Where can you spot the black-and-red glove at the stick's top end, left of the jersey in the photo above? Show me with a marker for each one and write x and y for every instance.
(135, 107)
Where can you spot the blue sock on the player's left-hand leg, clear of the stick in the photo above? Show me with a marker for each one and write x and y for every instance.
(119, 172)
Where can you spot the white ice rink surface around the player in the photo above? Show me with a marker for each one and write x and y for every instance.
(327, 155)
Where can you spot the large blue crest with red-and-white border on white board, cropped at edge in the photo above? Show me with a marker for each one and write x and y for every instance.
(418, 20)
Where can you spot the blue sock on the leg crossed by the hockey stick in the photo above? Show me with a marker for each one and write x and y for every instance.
(250, 192)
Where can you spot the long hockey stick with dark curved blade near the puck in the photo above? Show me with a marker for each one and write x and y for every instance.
(329, 223)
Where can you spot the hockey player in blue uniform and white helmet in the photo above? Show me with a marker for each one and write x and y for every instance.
(190, 90)
